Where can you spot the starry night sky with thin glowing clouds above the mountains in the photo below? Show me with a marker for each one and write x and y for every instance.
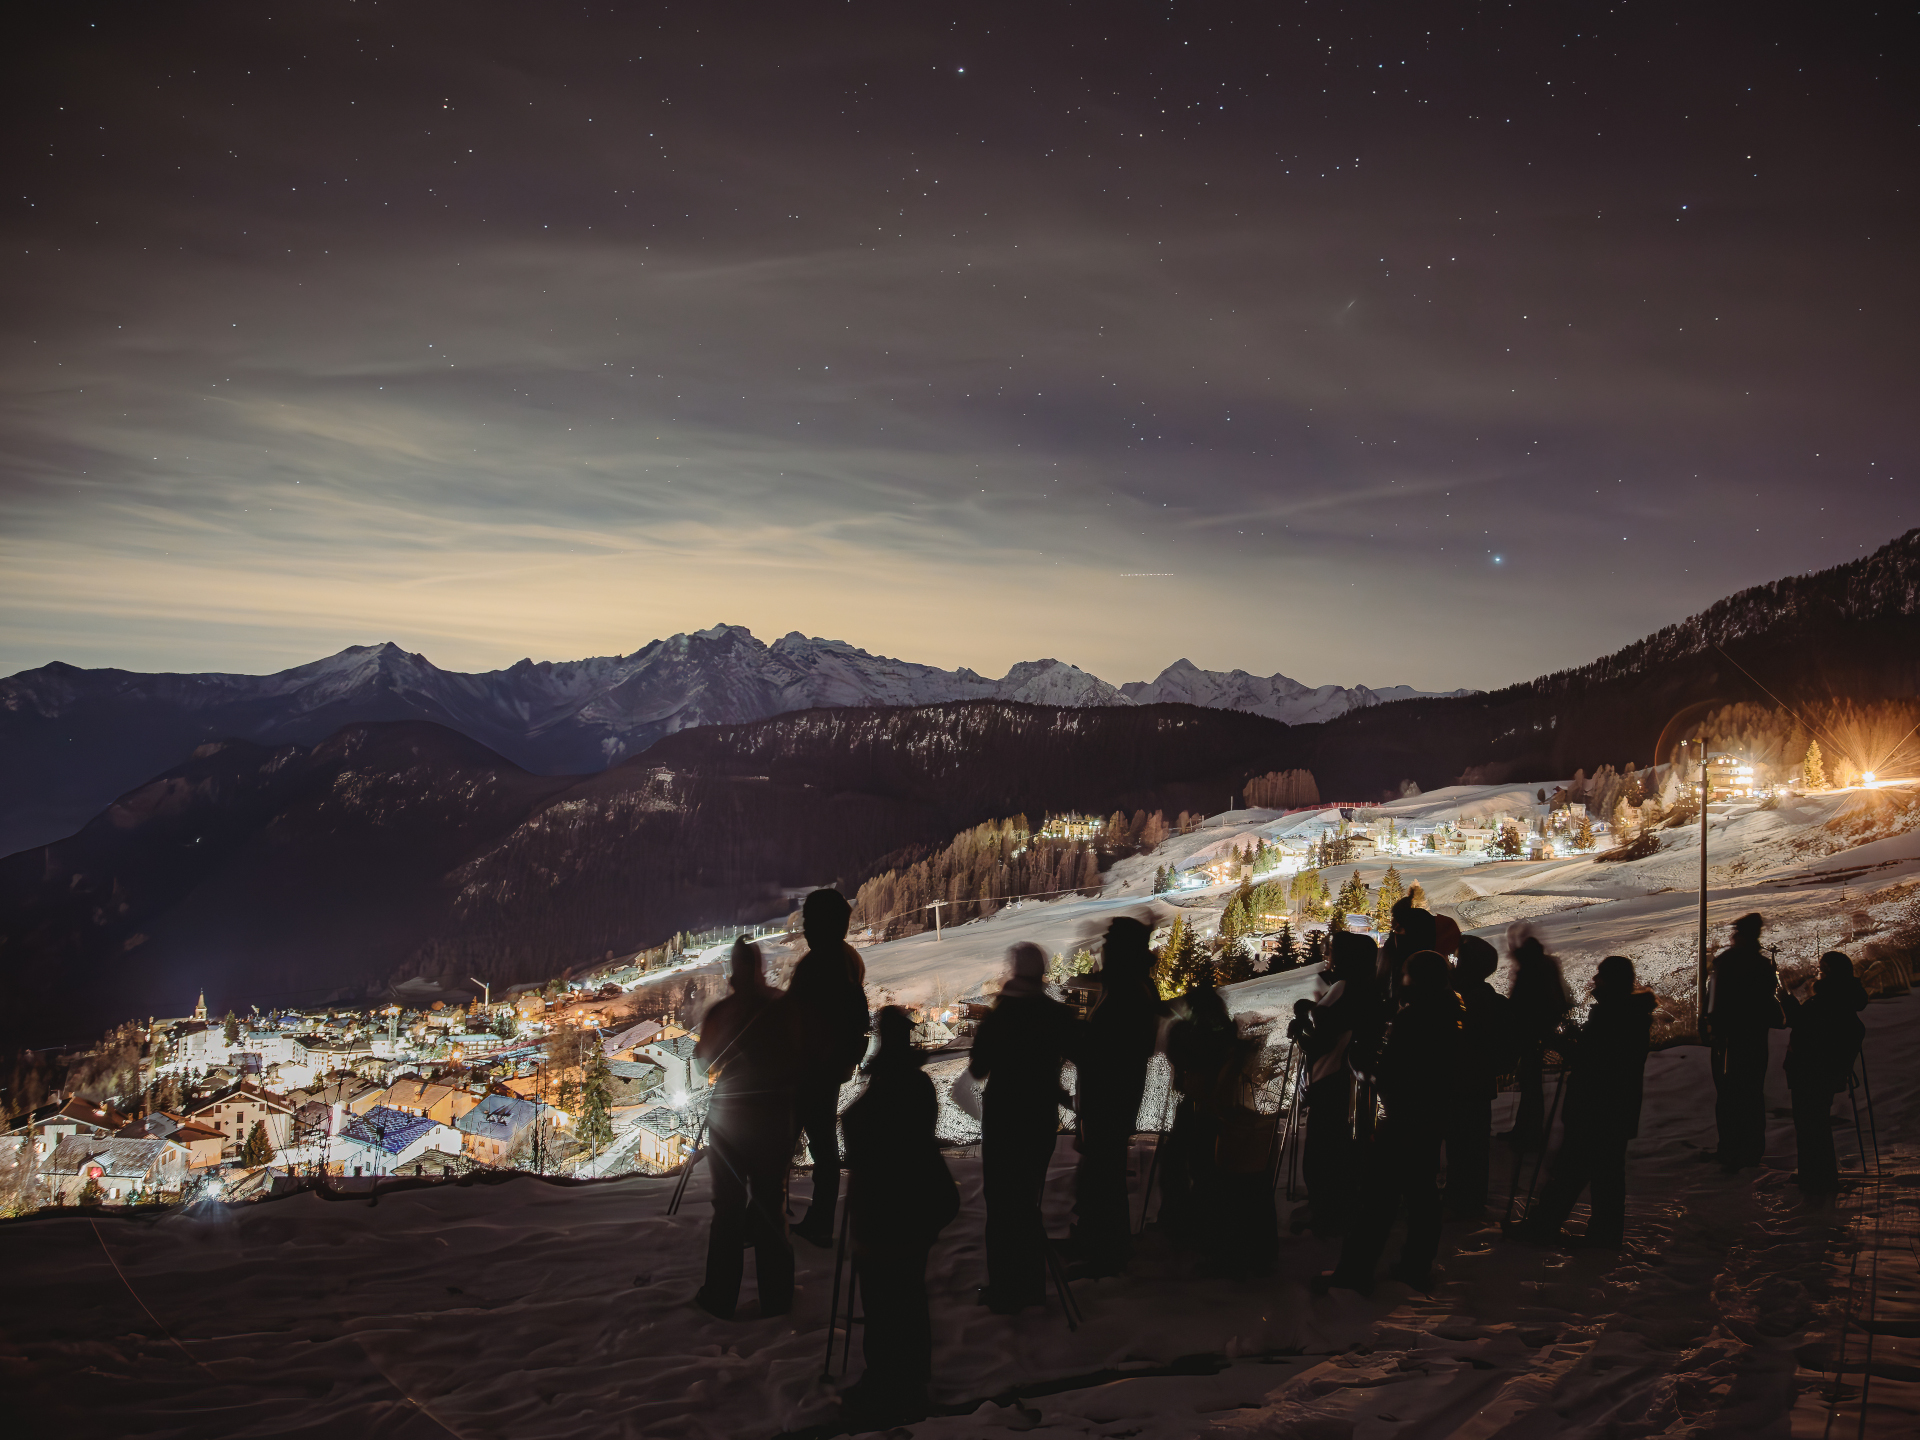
(1389, 345)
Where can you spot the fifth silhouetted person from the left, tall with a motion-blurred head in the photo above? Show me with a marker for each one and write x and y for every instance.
(1113, 1078)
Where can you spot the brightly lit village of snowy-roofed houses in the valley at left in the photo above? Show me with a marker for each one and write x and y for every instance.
(228, 1107)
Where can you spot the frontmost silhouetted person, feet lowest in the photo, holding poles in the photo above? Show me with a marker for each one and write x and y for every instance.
(900, 1199)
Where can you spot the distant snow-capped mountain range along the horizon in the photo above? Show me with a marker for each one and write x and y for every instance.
(72, 740)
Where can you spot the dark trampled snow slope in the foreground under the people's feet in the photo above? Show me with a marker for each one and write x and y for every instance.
(525, 1310)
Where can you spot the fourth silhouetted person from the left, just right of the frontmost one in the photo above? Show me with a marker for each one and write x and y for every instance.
(1019, 1051)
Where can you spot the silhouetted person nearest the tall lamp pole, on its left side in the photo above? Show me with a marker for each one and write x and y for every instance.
(1602, 1111)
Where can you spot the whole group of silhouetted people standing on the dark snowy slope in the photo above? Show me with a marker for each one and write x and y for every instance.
(1399, 1063)
